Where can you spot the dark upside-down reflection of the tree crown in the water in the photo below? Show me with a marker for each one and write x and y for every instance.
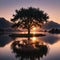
(29, 52)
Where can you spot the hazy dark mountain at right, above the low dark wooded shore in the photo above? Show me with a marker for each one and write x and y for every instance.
(51, 25)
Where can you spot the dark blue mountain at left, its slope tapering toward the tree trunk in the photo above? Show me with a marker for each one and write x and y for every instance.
(5, 26)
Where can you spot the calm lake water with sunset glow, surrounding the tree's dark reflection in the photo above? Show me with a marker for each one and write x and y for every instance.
(52, 41)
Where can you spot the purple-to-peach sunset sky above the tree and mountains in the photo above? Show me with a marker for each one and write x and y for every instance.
(51, 7)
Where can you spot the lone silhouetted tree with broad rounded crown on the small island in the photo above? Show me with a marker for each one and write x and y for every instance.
(26, 18)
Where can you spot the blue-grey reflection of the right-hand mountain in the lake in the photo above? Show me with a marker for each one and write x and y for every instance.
(51, 39)
